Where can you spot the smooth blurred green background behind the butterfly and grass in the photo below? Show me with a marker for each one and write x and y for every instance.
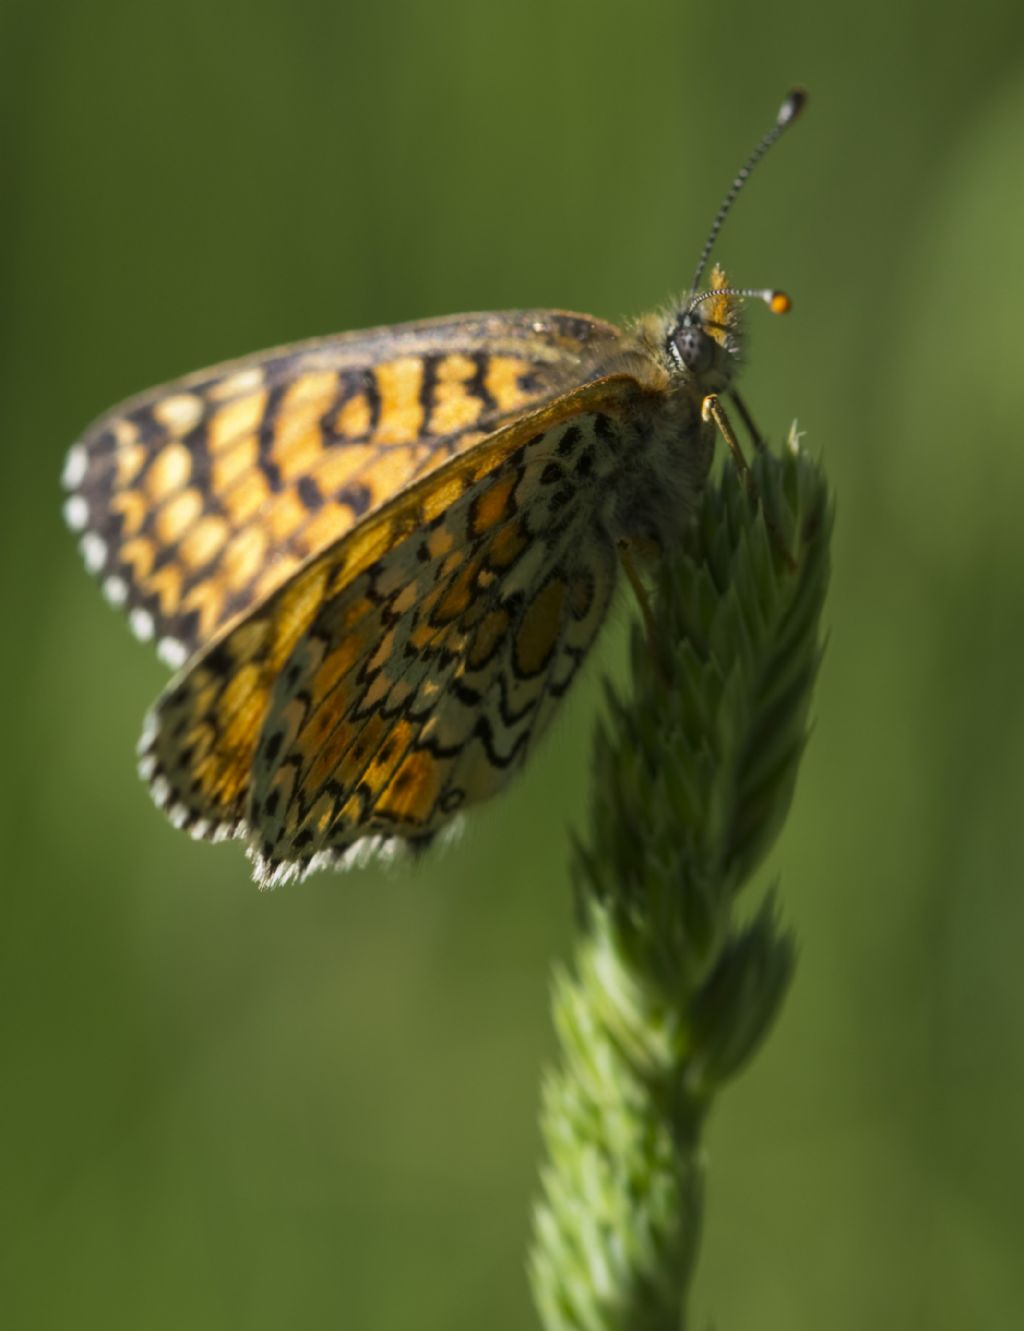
(318, 1108)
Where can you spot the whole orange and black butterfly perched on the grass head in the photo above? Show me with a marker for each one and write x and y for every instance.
(378, 561)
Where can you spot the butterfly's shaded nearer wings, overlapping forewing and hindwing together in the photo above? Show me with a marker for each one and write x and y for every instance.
(407, 671)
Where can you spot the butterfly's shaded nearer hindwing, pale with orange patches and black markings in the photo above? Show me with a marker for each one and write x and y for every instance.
(423, 686)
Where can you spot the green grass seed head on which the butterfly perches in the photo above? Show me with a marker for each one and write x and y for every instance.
(670, 994)
